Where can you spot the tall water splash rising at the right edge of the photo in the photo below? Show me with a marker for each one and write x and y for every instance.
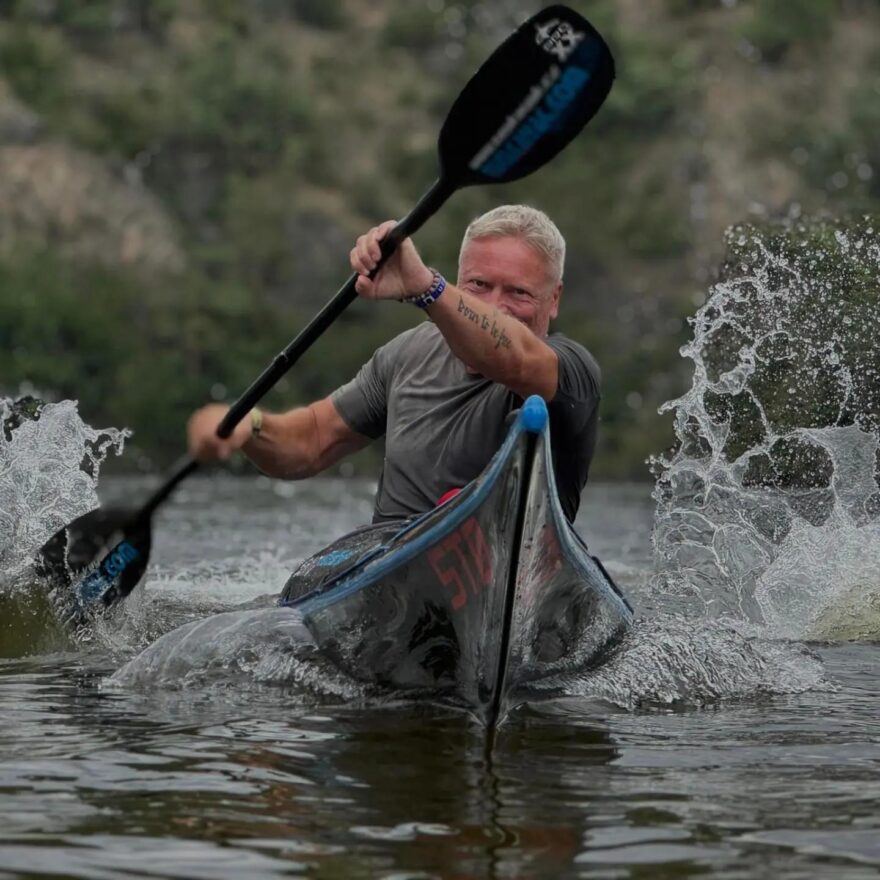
(767, 511)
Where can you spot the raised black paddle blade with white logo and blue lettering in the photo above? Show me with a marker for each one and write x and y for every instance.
(528, 100)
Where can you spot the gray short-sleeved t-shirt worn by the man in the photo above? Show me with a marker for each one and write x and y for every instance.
(443, 424)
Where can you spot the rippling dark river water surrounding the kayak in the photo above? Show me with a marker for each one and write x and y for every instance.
(705, 747)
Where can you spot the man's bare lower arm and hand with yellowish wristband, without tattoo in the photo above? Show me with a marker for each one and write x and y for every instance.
(293, 445)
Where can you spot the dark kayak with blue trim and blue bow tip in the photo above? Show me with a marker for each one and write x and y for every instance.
(474, 601)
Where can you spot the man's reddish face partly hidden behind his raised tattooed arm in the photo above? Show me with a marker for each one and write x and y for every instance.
(513, 277)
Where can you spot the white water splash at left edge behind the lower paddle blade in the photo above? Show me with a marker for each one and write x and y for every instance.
(49, 468)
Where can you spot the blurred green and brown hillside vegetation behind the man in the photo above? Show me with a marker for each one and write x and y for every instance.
(181, 181)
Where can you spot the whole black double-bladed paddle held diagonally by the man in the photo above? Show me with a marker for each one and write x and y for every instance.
(527, 101)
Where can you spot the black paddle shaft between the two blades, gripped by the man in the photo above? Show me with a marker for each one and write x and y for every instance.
(426, 207)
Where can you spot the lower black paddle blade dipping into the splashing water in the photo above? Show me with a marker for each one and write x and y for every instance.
(95, 561)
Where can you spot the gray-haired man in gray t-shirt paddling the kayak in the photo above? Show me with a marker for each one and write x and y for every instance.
(441, 392)
